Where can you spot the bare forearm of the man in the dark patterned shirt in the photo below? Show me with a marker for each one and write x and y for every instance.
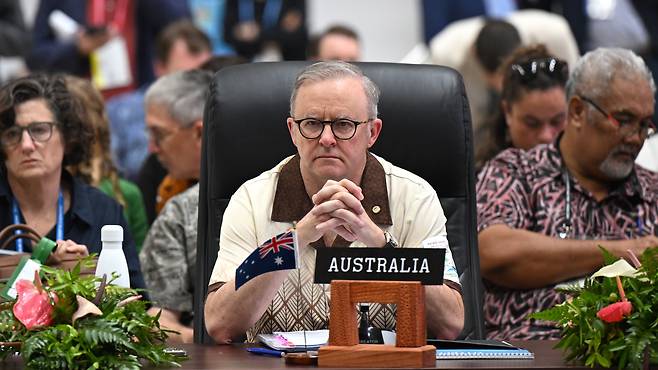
(522, 259)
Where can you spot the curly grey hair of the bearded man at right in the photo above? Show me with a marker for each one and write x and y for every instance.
(595, 70)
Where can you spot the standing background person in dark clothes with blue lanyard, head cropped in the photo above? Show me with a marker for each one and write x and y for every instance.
(267, 29)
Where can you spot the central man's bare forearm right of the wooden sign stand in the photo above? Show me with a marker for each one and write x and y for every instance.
(444, 311)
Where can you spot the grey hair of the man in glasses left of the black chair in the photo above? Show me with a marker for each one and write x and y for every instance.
(182, 94)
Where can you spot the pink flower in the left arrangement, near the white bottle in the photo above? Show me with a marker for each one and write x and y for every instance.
(33, 307)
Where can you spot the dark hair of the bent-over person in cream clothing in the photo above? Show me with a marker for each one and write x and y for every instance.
(495, 42)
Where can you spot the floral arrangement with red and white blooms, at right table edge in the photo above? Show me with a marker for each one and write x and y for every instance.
(613, 319)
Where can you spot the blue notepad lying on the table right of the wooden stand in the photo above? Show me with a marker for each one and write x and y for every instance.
(479, 349)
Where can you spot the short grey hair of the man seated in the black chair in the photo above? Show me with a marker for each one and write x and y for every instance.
(331, 70)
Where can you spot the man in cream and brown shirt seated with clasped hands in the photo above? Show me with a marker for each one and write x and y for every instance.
(338, 194)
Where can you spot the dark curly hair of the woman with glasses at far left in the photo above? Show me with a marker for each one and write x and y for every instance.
(78, 137)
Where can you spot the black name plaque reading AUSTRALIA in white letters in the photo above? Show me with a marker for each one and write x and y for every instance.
(380, 264)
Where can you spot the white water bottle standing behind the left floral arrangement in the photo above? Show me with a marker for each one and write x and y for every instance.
(112, 258)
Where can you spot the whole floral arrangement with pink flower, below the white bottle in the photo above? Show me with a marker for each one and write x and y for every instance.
(77, 321)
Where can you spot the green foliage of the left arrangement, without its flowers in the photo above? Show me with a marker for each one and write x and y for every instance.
(121, 338)
